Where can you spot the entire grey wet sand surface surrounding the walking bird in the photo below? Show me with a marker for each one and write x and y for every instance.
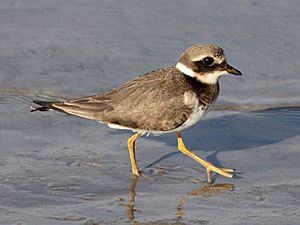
(58, 169)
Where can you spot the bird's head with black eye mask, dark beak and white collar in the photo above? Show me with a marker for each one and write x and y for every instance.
(205, 62)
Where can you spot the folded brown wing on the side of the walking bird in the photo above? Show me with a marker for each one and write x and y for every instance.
(153, 101)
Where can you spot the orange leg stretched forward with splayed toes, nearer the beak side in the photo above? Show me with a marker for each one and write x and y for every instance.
(208, 166)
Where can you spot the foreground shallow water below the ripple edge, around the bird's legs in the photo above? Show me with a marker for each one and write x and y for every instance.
(58, 169)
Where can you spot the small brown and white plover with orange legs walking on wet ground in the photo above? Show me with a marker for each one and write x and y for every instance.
(165, 100)
